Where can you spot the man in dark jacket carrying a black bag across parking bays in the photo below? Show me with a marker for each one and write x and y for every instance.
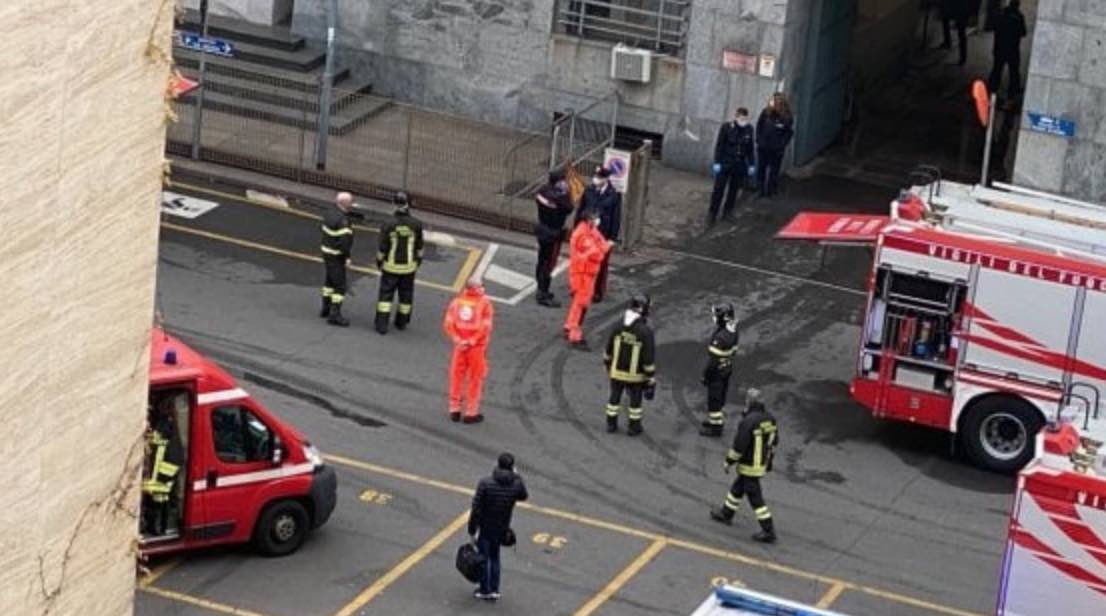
(493, 506)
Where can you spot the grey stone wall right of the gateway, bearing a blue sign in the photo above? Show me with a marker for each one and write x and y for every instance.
(1067, 79)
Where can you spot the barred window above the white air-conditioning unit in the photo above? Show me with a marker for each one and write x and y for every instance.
(660, 26)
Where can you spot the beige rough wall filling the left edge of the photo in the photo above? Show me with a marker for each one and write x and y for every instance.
(84, 127)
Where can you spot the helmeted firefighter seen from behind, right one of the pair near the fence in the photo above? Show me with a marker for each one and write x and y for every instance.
(399, 259)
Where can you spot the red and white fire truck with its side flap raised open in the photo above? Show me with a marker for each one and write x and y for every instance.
(986, 314)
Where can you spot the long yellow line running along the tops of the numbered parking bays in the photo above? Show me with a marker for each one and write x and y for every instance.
(692, 547)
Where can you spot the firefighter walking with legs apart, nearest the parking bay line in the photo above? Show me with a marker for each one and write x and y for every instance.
(754, 447)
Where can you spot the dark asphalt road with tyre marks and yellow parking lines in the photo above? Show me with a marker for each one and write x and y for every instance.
(874, 518)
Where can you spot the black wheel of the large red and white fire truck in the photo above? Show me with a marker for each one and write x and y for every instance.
(999, 433)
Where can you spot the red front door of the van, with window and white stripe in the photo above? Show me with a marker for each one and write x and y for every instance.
(239, 463)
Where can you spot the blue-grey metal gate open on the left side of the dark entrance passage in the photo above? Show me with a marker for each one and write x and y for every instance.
(826, 78)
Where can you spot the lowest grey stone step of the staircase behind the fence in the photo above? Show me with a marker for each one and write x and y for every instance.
(346, 120)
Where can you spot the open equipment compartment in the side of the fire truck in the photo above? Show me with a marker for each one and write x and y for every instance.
(909, 335)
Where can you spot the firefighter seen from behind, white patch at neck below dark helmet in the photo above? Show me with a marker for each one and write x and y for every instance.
(630, 362)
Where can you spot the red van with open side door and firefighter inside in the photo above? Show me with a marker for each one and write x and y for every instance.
(220, 467)
